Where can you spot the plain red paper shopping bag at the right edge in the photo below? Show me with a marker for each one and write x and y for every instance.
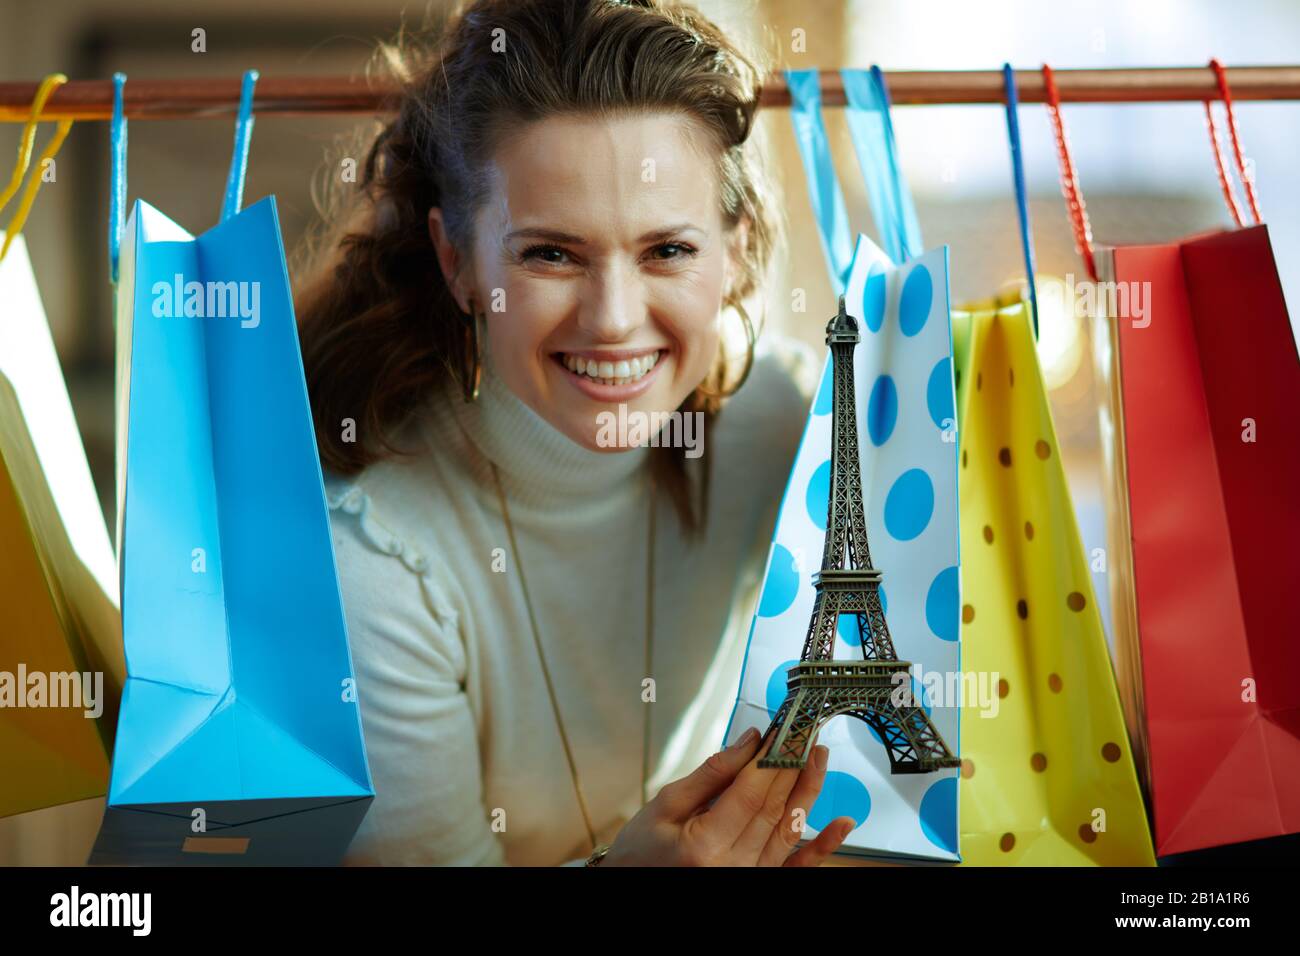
(1210, 388)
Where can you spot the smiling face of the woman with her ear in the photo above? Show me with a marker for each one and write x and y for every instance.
(601, 262)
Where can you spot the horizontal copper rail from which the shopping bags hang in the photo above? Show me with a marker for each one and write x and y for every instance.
(175, 100)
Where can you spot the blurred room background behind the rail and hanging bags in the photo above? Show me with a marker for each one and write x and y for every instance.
(1146, 170)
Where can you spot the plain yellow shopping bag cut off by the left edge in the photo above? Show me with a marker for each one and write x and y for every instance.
(62, 667)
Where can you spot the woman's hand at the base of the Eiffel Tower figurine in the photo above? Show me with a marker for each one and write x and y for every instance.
(756, 820)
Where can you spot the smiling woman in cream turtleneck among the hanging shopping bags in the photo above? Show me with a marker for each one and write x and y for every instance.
(545, 239)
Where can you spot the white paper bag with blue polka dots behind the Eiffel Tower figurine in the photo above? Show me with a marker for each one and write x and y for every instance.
(908, 445)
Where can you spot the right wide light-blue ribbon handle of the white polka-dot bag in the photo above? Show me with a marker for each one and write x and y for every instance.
(868, 115)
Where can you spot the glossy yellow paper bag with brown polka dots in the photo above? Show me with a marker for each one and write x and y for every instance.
(1048, 777)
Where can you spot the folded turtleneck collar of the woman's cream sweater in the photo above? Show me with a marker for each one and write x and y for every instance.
(534, 457)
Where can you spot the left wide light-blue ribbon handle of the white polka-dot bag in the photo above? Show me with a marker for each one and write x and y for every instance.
(825, 192)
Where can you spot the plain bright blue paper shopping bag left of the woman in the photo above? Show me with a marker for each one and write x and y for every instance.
(240, 739)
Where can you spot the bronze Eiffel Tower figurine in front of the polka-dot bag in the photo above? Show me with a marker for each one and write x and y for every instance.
(821, 687)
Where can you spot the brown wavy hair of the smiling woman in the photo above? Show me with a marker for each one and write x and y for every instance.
(379, 326)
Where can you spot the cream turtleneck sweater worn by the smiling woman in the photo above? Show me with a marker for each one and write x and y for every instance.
(461, 734)
